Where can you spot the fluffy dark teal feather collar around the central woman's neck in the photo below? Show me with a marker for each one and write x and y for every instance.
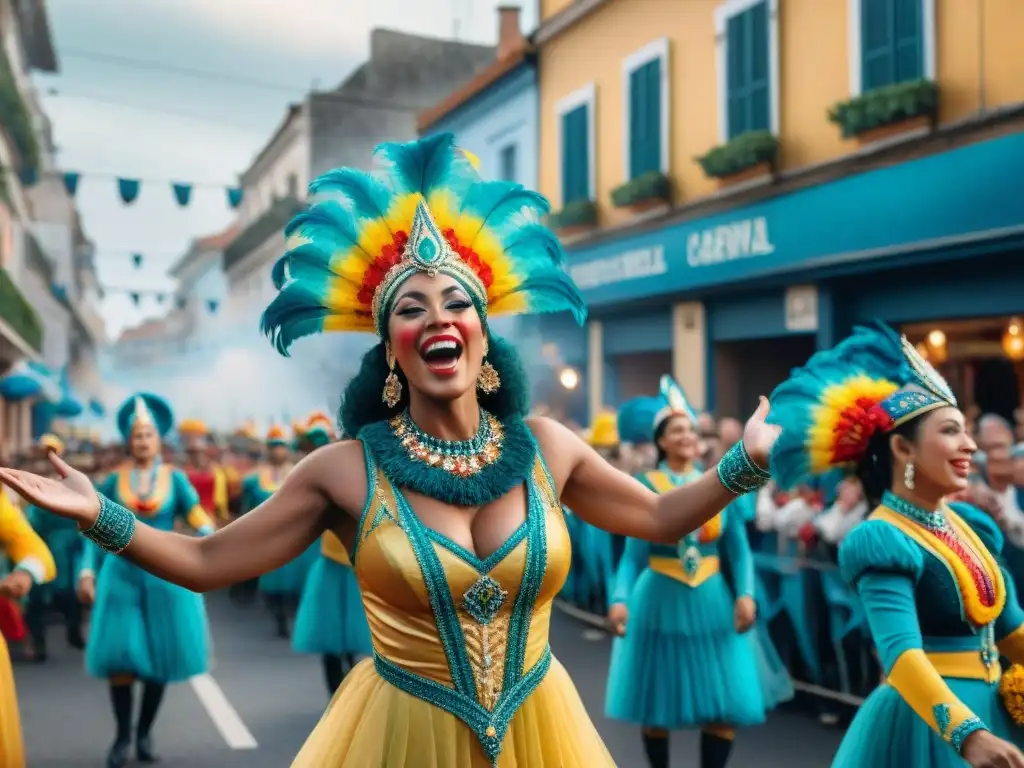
(510, 471)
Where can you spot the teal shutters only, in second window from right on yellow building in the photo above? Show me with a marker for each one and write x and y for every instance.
(748, 80)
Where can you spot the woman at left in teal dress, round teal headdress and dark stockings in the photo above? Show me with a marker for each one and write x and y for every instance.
(143, 627)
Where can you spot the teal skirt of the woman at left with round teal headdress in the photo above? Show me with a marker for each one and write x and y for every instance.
(145, 626)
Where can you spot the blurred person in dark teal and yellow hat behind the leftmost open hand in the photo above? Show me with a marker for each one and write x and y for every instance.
(64, 540)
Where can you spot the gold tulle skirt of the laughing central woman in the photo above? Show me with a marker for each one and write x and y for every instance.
(371, 722)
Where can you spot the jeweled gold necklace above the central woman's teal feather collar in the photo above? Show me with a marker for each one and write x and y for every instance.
(460, 458)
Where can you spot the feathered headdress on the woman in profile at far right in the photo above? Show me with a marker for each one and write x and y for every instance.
(829, 410)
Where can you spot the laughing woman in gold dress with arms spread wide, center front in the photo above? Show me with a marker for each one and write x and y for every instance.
(450, 499)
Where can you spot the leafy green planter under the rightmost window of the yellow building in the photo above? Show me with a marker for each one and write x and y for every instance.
(887, 112)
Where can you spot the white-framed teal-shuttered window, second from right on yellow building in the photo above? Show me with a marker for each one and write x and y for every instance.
(748, 73)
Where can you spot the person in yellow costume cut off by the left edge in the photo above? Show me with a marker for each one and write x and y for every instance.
(33, 567)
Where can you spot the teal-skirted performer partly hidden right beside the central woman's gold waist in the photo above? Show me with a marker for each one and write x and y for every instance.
(331, 621)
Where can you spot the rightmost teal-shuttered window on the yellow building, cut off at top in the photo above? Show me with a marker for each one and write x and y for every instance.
(894, 46)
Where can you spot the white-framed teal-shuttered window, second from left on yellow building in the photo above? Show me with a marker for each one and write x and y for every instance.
(646, 83)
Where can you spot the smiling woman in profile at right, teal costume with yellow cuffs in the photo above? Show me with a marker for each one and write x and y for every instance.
(941, 609)
